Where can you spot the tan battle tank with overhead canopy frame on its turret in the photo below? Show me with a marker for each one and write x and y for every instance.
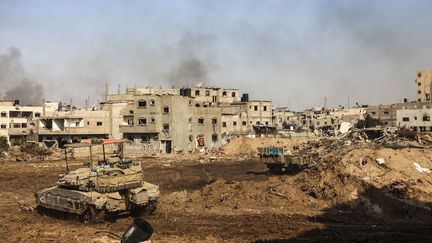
(112, 186)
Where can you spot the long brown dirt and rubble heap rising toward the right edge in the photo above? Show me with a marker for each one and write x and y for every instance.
(362, 171)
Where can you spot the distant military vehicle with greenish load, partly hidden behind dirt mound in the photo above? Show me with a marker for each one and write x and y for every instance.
(278, 162)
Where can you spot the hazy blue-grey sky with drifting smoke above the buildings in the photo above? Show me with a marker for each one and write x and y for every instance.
(300, 51)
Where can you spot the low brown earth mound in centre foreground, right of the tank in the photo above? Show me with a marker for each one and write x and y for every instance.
(277, 194)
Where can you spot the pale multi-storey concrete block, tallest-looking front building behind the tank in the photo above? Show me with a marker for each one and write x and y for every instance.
(168, 123)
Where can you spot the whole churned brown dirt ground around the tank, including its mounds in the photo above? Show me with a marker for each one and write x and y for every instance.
(232, 198)
